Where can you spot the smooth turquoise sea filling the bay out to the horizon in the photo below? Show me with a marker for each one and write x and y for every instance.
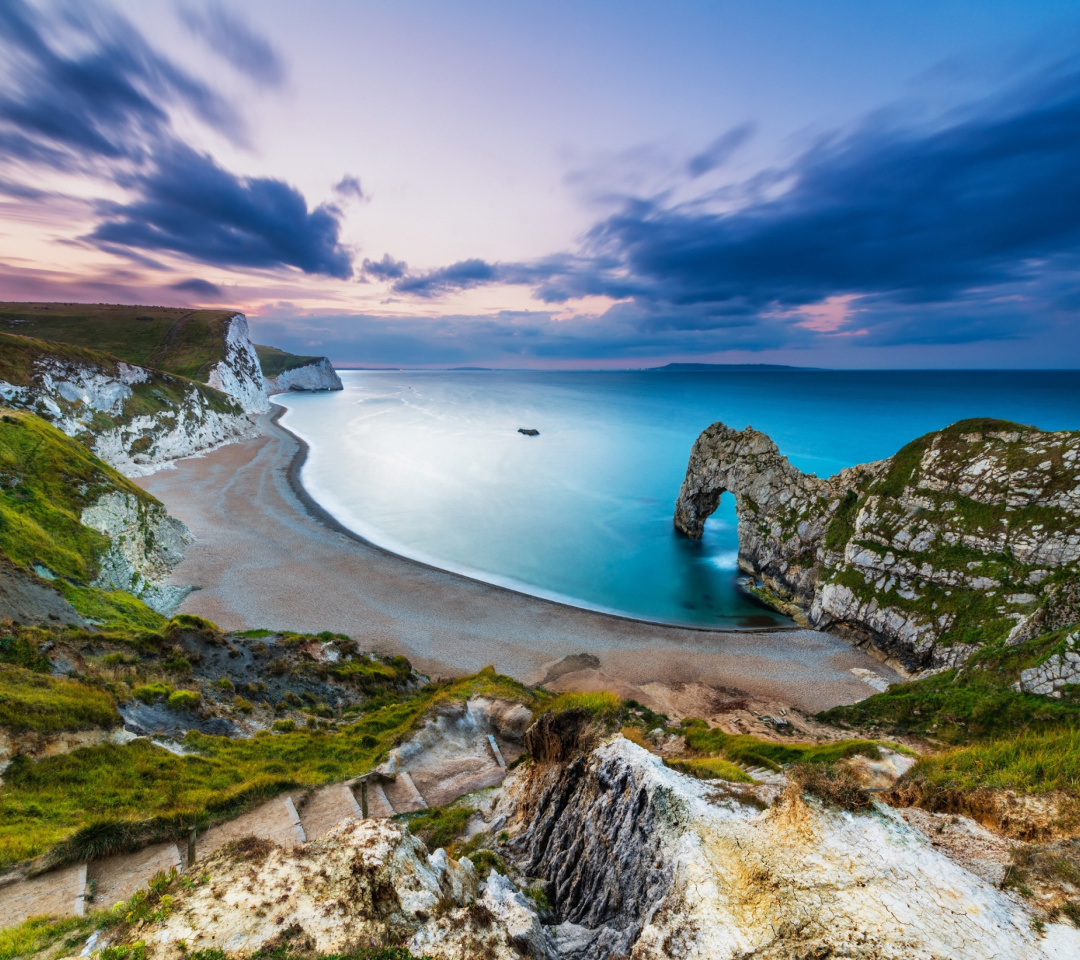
(431, 466)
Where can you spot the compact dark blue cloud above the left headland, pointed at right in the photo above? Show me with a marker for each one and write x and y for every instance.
(191, 206)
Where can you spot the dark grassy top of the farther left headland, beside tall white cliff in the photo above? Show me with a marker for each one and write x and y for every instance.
(187, 343)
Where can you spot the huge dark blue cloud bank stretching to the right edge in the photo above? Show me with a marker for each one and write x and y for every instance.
(956, 211)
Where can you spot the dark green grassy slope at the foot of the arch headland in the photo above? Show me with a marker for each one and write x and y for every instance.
(975, 704)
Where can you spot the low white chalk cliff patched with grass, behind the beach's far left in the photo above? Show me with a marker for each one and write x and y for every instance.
(136, 420)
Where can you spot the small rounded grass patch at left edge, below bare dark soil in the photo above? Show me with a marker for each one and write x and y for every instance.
(45, 705)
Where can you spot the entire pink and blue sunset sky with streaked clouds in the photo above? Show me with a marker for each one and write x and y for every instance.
(559, 185)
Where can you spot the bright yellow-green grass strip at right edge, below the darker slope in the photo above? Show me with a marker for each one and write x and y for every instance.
(1034, 763)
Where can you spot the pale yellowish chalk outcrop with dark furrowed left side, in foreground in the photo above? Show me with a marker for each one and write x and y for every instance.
(643, 862)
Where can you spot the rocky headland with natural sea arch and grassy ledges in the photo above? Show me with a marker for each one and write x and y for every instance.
(966, 536)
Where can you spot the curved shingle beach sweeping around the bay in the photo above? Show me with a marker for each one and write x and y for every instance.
(267, 558)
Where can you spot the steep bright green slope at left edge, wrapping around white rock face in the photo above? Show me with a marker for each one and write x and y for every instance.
(47, 480)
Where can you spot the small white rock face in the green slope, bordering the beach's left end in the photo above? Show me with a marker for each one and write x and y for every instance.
(146, 545)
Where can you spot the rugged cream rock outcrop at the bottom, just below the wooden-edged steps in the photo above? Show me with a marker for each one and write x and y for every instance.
(368, 882)
